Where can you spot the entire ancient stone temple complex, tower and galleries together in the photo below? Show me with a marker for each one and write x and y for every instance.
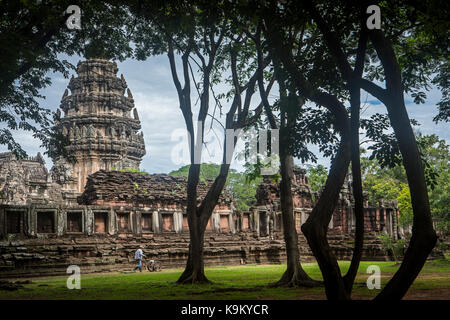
(91, 214)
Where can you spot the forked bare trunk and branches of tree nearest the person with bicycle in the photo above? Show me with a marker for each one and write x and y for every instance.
(198, 216)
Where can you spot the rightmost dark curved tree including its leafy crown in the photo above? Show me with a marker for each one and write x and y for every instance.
(402, 29)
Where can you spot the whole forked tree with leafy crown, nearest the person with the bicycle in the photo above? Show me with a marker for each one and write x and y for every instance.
(201, 34)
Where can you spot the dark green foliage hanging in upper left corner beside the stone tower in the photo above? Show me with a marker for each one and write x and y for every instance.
(33, 35)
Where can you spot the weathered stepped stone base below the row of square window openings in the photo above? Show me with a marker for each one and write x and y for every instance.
(103, 253)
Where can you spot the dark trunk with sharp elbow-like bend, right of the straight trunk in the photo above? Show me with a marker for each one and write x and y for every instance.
(315, 228)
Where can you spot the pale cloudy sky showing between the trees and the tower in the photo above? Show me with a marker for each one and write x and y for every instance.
(162, 123)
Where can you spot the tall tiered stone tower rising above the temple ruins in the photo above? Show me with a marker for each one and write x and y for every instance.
(98, 121)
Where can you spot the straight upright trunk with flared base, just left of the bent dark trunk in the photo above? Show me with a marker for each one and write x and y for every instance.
(294, 274)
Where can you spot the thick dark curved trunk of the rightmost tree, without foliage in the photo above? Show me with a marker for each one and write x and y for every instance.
(423, 237)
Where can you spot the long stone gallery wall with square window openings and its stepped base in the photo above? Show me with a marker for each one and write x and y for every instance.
(45, 239)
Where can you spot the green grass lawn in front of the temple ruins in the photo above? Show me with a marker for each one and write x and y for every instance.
(236, 282)
